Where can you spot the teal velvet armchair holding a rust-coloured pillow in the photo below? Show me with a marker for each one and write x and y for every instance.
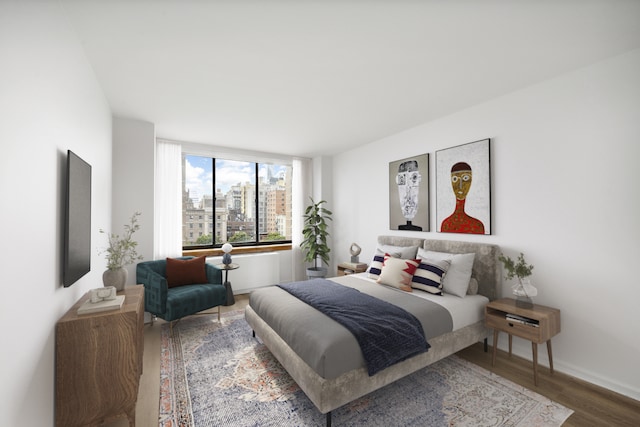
(172, 303)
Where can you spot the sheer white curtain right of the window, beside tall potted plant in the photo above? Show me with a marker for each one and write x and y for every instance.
(301, 191)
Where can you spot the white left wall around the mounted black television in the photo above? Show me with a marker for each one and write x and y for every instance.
(49, 102)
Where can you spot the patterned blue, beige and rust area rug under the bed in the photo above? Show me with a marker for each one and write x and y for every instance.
(218, 374)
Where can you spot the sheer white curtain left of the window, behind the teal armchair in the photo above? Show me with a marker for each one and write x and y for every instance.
(168, 209)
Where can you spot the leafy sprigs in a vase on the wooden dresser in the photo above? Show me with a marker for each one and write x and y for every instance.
(120, 253)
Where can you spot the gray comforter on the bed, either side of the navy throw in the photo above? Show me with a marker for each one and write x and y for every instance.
(325, 345)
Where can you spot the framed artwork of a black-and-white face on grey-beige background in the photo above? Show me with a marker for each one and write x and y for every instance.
(409, 194)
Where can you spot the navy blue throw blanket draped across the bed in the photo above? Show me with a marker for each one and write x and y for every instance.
(387, 334)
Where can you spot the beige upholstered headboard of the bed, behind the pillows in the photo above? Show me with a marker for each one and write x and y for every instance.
(486, 267)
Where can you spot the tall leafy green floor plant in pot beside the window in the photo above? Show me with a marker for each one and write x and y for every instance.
(314, 238)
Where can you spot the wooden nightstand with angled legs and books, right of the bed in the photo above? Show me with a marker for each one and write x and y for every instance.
(537, 324)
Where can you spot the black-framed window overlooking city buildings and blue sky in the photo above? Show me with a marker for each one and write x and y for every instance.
(251, 202)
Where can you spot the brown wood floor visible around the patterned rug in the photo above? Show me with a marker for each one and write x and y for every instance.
(593, 406)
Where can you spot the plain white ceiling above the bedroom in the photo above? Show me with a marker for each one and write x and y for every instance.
(311, 78)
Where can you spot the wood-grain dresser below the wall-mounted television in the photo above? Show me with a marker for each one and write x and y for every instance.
(99, 362)
